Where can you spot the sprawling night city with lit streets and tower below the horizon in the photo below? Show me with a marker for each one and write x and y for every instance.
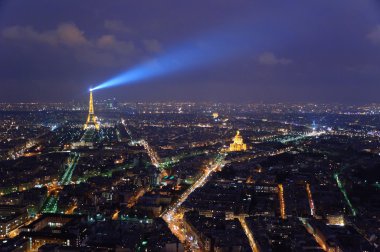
(187, 176)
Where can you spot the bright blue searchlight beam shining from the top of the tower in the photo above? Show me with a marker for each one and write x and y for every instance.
(211, 49)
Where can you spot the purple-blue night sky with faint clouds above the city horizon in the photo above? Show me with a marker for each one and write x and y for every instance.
(252, 50)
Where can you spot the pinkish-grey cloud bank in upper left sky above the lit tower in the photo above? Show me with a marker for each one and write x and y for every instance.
(105, 50)
